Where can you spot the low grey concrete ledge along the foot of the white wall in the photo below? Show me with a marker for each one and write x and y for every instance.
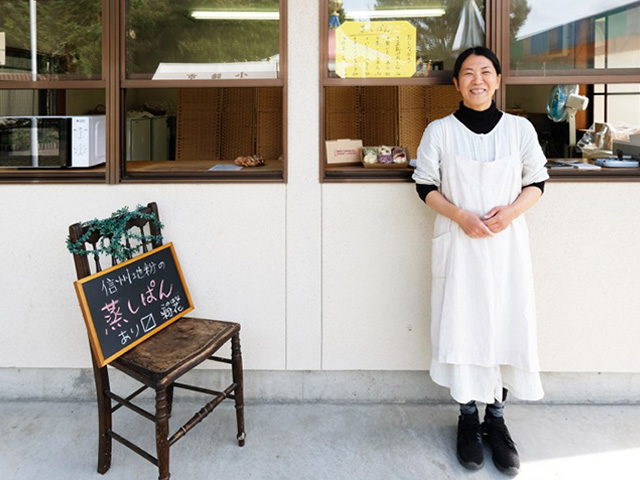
(321, 386)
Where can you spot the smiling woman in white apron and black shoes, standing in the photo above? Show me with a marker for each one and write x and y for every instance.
(480, 169)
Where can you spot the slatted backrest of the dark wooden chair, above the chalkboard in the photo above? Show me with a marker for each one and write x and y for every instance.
(146, 228)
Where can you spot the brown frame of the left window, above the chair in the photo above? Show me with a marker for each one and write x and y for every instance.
(115, 84)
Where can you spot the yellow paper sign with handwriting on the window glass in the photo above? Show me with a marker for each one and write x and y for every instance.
(376, 49)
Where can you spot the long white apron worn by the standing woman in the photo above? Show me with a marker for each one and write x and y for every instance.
(483, 323)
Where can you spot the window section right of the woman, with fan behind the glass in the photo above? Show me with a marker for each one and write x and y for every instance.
(596, 47)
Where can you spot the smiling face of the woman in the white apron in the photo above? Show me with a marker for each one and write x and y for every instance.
(477, 82)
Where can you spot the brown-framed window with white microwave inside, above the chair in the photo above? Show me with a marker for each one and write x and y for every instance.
(175, 90)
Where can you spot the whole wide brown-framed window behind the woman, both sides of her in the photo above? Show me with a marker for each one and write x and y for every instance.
(378, 90)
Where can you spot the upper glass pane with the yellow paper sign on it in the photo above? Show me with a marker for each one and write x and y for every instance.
(400, 38)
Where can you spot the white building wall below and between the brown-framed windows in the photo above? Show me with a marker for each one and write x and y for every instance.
(323, 277)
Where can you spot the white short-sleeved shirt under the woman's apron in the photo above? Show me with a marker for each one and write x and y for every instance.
(482, 147)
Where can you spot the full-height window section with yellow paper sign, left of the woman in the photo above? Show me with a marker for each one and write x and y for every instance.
(388, 73)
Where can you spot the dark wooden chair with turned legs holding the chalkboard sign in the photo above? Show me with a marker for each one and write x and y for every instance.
(158, 363)
